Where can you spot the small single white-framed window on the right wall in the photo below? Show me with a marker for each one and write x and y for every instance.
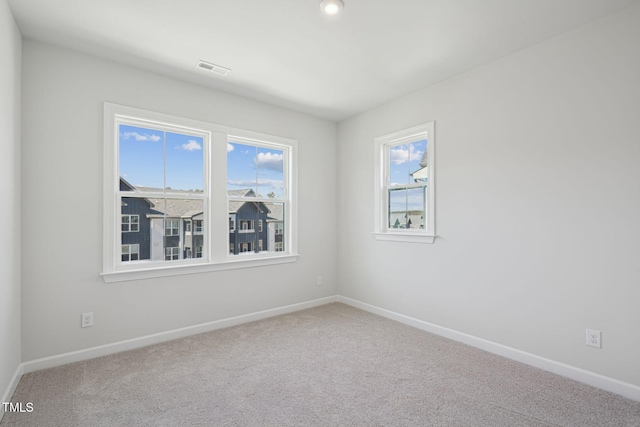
(404, 193)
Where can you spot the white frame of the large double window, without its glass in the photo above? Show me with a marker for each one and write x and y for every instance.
(215, 253)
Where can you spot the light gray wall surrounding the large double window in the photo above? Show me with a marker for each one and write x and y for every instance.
(62, 202)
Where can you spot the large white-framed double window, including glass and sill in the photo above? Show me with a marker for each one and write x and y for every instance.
(183, 185)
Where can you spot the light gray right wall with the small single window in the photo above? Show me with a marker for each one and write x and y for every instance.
(537, 202)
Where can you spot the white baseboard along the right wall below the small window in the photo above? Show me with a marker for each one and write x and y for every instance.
(627, 390)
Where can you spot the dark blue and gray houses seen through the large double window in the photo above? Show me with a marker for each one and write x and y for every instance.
(171, 229)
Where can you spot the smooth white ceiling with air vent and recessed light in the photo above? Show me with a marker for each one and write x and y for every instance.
(287, 53)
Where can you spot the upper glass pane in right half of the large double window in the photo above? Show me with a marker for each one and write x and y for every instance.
(254, 171)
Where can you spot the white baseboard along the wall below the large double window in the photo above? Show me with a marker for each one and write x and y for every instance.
(117, 347)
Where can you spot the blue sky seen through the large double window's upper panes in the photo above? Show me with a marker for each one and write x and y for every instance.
(142, 162)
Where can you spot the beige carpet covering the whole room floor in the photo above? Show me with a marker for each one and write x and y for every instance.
(328, 366)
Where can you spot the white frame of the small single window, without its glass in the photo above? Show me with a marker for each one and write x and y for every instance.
(381, 193)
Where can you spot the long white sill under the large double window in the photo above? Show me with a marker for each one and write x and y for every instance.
(176, 270)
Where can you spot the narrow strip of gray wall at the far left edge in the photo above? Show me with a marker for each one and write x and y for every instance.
(10, 58)
